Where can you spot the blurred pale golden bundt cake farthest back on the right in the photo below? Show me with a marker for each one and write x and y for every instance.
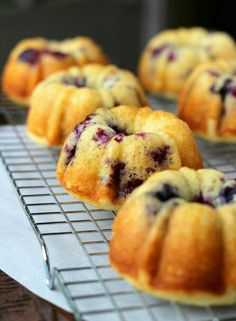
(170, 57)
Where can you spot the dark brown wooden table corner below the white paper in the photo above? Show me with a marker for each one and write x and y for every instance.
(19, 304)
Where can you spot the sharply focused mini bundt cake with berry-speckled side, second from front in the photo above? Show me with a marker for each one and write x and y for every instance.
(113, 151)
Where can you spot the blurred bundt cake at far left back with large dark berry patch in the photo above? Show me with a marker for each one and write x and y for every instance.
(32, 60)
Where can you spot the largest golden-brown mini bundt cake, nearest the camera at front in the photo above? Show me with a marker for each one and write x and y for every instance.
(175, 237)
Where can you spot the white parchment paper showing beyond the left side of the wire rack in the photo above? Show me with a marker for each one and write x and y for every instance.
(20, 255)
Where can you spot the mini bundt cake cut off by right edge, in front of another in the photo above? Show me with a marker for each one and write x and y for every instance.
(208, 101)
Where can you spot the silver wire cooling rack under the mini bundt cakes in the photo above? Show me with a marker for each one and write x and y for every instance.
(93, 290)
